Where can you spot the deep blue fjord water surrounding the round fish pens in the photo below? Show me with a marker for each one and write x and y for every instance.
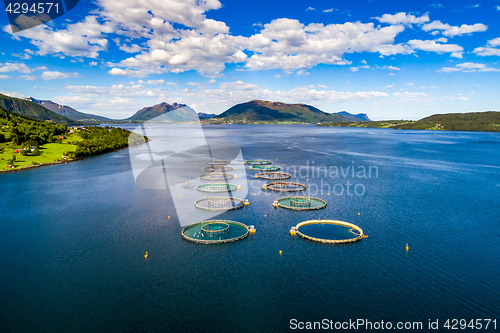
(73, 238)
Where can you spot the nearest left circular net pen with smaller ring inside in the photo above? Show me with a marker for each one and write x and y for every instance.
(215, 232)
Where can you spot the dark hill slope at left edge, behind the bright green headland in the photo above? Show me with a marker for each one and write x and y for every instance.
(32, 110)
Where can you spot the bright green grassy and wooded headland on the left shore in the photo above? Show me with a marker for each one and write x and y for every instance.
(27, 143)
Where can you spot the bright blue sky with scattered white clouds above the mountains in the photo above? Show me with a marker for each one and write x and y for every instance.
(389, 59)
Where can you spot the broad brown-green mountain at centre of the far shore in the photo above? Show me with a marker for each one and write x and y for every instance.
(257, 111)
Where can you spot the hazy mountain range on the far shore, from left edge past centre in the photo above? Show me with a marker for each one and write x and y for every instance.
(252, 111)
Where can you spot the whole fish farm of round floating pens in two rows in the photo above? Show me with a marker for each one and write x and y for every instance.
(225, 231)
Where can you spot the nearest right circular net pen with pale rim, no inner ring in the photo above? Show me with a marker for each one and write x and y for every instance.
(329, 231)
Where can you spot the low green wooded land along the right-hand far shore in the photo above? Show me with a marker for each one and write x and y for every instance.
(488, 121)
